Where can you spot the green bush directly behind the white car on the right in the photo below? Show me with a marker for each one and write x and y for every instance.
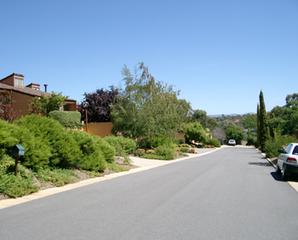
(273, 145)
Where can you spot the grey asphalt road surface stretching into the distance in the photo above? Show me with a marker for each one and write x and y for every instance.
(229, 194)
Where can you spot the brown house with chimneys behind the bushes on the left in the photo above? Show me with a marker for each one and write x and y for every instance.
(16, 97)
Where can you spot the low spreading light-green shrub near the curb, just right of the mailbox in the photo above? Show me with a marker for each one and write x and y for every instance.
(58, 177)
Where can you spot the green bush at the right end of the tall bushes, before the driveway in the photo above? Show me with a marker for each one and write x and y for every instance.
(92, 157)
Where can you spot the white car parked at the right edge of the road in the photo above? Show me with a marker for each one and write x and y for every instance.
(287, 162)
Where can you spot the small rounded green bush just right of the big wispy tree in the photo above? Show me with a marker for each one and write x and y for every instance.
(195, 132)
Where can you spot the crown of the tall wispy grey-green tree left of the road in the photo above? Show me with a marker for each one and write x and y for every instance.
(147, 108)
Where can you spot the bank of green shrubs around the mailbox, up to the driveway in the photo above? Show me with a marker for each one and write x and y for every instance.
(54, 155)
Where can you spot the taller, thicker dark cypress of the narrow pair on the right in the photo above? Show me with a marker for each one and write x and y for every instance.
(263, 122)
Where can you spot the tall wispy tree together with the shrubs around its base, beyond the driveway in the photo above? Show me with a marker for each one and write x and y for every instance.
(152, 113)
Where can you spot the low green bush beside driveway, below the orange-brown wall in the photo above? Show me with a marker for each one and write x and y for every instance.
(122, 145)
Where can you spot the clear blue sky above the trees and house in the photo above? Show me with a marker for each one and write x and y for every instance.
(219, 53)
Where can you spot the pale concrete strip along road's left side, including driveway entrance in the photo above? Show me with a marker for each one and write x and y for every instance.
(140, 163)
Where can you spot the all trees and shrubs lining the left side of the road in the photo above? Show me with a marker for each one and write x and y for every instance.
(149, 120)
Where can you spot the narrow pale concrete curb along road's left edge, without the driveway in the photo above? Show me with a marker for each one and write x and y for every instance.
(55, 190)
